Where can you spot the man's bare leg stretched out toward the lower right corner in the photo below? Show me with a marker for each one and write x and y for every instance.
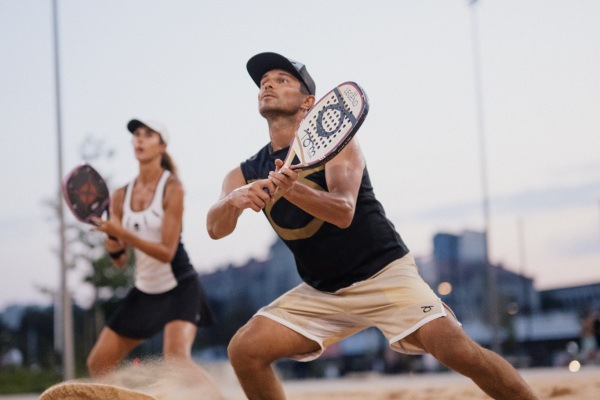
(451, 346)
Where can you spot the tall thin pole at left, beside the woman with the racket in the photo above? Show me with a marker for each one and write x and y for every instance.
(66, 312)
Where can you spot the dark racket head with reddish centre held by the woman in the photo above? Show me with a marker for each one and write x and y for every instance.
(86, 193)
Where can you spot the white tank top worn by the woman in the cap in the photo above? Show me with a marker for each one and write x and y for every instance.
(151, 275)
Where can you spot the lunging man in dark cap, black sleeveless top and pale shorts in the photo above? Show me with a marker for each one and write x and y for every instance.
(357, 271)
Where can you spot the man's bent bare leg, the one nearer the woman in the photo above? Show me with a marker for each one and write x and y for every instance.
(255, 347)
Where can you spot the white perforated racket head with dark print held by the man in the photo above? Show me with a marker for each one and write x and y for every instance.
(330, 125)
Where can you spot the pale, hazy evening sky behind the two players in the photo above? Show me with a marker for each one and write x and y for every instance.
(183, 63)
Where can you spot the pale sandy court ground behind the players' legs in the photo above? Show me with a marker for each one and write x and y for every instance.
(555, 384)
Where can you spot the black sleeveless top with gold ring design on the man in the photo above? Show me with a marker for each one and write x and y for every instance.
(329, 258)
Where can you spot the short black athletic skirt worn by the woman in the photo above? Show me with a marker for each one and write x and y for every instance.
(141, 315)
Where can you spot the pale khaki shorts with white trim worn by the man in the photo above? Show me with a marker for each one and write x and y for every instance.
(396, 300)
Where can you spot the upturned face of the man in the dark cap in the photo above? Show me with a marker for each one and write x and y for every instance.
(279, 94)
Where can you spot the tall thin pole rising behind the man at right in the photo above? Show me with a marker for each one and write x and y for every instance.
(491, 270)
